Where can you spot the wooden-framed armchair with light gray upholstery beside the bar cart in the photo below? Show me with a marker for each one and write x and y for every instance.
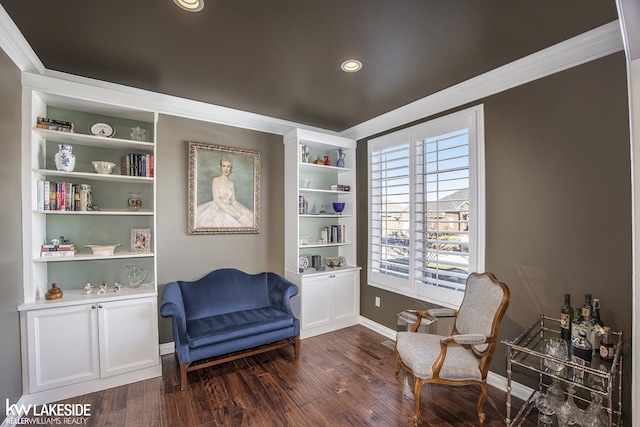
(463, 357)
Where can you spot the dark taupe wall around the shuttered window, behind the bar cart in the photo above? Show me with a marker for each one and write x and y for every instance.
(558, 197)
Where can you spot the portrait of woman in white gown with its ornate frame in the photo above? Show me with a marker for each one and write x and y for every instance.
(224, 189)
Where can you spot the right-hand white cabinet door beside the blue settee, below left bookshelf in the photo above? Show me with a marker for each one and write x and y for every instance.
(128, 336)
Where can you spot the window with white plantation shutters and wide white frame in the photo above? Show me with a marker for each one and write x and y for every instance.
(426, 204)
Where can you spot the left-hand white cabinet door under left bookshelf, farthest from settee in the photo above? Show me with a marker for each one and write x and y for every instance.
(63, 346)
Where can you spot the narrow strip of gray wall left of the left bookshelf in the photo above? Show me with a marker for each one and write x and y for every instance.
(10, 228)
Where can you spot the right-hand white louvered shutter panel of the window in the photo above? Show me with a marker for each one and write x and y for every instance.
(442, 211)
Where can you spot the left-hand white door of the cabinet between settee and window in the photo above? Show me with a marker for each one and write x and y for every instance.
(315, 302)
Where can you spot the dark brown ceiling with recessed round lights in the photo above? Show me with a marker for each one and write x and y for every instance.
(281, 58)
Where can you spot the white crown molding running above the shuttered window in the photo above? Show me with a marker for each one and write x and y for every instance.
(578, 50)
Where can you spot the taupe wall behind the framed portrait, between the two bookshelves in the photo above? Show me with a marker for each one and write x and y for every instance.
(187, 257)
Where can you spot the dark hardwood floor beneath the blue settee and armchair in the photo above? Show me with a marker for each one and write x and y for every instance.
(344, 378)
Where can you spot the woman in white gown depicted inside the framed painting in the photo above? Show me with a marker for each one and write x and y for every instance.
(224, 210)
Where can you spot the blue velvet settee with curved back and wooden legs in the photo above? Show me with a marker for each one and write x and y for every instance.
(227, 315)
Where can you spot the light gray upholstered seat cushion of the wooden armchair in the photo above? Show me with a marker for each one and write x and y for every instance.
(420, 351)
